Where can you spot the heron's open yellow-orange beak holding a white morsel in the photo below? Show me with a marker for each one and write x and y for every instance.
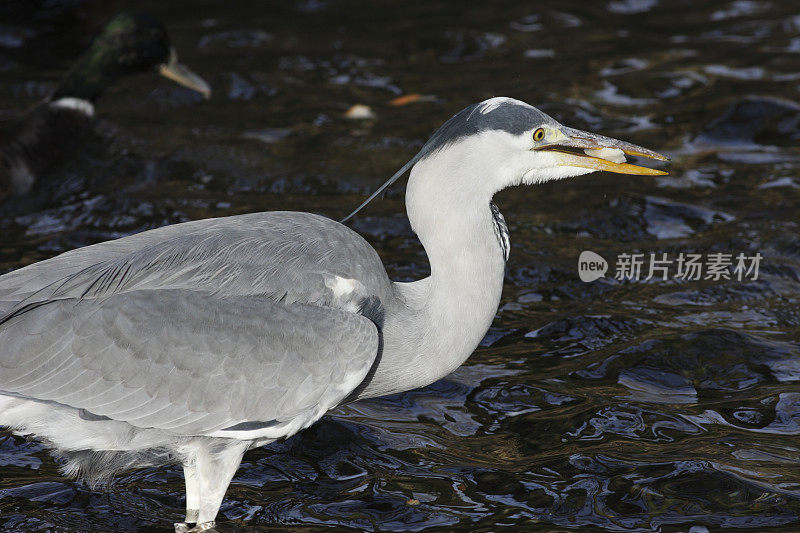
(599, 152)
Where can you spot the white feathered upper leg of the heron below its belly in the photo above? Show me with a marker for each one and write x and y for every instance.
(214, 469)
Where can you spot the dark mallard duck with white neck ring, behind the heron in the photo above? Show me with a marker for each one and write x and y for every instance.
(33, 141)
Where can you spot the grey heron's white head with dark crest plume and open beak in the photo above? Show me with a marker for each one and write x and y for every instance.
(502, 142)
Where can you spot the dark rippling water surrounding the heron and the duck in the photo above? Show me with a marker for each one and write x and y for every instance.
(649, 405)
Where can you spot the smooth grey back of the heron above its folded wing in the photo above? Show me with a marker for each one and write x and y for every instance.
(295, 257)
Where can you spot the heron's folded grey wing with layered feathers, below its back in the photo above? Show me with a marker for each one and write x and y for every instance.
(189, 362)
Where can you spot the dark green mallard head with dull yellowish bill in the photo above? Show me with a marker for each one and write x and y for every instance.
(130, 43)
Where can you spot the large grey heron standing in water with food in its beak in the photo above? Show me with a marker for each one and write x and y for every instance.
(195, 342)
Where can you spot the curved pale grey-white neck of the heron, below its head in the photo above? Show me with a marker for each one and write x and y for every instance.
(442, 319)
